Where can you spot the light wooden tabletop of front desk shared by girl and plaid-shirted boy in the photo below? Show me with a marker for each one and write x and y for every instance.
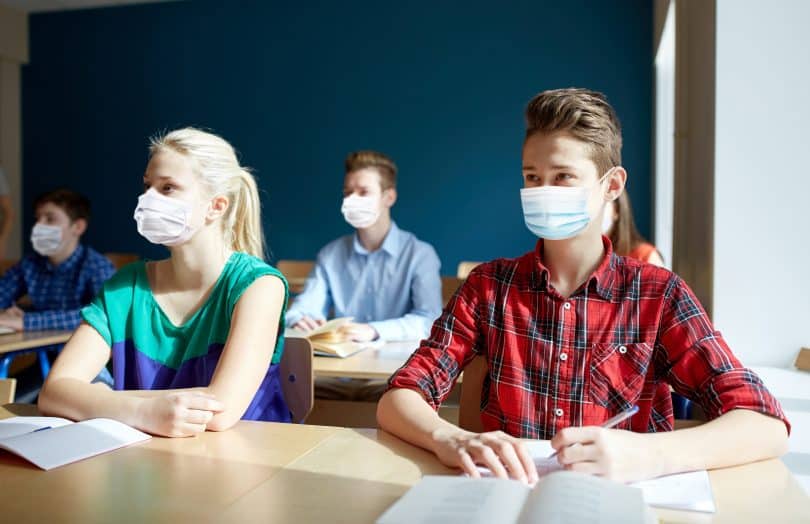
(266, 472)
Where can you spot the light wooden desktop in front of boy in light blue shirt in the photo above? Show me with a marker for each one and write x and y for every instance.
(371, 363)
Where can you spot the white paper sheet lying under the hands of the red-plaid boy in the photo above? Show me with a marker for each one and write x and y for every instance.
(684, 491)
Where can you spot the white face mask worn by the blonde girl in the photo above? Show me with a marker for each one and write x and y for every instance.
(163, 220)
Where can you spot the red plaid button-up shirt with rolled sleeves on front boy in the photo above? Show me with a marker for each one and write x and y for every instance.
(631, 331)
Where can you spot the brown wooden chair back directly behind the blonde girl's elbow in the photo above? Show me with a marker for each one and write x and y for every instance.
(297, 379)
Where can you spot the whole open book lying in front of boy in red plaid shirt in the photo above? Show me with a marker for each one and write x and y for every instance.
(559, 498)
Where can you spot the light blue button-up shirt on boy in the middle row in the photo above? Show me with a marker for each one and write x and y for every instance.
(396, 289)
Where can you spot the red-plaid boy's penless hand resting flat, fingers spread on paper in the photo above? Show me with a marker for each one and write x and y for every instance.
(505, 456)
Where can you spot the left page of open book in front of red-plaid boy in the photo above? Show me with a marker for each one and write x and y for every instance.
(458, 500)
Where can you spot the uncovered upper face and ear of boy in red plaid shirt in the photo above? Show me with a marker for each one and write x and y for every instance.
(558, 159)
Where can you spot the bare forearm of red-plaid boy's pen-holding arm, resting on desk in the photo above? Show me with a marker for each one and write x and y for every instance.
(737, 437)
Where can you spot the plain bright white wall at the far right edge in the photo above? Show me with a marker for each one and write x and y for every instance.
(761, 285)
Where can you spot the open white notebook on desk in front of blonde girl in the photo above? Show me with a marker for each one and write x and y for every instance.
(50, 442)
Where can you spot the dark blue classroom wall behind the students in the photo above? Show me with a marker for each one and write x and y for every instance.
(440, 86)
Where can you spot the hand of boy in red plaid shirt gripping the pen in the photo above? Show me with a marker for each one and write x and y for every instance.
(615, 454)
